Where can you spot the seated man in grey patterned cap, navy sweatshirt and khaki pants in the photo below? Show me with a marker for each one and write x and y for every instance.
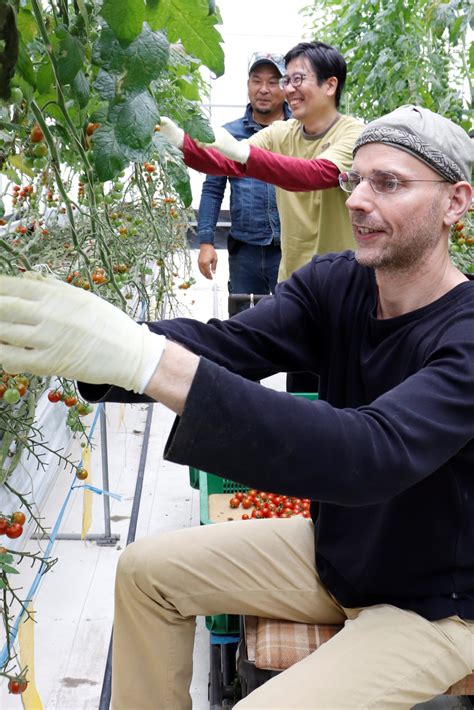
(386, 453)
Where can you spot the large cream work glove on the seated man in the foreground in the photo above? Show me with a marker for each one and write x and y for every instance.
(49, 327)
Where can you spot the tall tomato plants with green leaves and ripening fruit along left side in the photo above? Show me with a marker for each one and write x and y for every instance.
(93, 194)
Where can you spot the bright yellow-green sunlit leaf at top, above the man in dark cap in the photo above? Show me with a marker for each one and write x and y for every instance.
(190, 22)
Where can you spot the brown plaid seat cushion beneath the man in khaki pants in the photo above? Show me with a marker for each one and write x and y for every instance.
(273, 644)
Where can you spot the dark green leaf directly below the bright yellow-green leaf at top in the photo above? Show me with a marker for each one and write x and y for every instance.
(145, 58)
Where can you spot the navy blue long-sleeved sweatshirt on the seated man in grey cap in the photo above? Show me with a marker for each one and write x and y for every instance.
(387, 451)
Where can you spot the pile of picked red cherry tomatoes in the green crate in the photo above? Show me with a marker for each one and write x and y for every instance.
(269, 505)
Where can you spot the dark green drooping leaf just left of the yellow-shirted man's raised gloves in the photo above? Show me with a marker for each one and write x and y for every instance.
(135, 125)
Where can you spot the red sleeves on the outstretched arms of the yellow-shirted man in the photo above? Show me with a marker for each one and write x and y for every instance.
(294, 174)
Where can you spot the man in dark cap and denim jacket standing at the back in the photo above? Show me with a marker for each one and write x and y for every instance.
(254, 237)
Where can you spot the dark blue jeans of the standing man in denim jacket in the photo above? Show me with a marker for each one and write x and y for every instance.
(252, 269)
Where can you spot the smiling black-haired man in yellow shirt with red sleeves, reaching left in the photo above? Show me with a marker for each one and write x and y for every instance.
(315, 221)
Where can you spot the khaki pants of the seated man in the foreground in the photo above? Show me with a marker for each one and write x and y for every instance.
(384, 658)
